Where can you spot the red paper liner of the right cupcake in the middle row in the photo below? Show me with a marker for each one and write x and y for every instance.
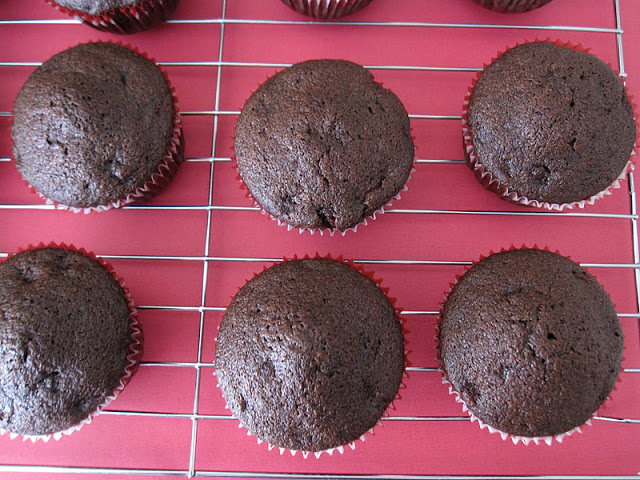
(507, 193)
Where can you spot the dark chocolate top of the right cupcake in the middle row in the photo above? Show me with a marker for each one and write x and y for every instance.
(551, 123)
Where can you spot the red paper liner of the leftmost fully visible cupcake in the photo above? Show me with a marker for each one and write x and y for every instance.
(166, 170)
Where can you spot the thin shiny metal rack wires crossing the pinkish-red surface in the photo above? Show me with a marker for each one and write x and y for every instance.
(207, 258)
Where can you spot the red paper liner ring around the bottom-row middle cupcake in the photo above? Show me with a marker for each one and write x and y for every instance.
(340, 449)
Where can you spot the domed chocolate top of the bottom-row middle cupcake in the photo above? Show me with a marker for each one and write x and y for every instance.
(309, 354)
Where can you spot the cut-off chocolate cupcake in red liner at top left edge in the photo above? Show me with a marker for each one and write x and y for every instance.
(118, 16)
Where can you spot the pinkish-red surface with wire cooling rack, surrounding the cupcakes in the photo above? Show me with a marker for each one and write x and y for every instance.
(185, 253)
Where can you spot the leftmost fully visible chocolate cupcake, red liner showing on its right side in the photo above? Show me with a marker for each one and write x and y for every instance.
(96, 126)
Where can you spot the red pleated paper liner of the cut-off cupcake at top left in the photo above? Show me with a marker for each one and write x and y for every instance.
(125, 20)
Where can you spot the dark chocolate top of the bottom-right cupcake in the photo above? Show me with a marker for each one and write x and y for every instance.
(531, 342)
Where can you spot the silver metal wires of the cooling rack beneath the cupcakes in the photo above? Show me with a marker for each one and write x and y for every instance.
(209, 257)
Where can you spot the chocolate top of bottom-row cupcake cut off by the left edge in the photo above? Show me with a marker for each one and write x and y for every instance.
(64, 339)
